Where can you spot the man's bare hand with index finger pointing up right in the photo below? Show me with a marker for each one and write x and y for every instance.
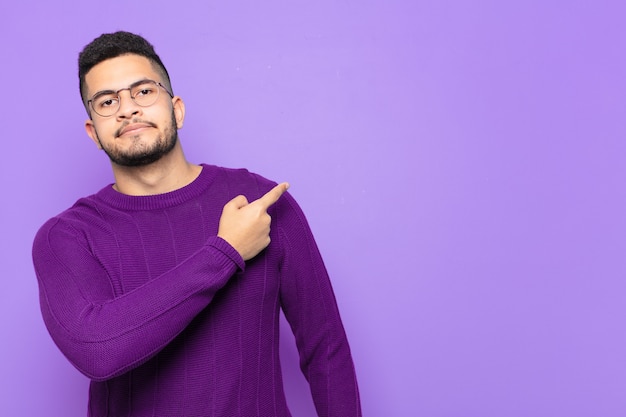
(246, 226)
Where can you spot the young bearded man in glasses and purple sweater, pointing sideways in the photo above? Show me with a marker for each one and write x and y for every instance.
(163, 288)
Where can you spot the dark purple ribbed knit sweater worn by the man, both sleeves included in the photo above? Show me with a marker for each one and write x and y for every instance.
(167, 320)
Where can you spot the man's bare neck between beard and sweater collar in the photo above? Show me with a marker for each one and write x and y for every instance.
(169, 173)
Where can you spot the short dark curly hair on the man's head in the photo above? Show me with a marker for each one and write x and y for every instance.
(112, 45)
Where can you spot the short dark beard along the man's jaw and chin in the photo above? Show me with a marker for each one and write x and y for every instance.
(144, 155)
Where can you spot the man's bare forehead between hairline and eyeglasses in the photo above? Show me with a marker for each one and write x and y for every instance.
(119, 72)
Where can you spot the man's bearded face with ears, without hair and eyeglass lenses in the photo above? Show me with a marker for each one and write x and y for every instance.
(134, 135)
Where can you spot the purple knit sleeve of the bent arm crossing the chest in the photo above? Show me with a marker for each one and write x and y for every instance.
(104, 335)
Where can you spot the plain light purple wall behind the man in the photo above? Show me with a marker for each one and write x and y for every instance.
(461, 164)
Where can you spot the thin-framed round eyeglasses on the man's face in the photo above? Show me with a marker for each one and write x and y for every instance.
(144, 93)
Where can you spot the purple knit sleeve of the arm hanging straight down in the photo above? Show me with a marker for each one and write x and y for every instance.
(310, 308)
